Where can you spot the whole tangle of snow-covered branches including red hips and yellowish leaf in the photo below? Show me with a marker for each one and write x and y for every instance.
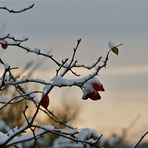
(30, 130)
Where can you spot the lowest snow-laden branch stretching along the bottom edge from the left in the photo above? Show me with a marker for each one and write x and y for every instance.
(83, 136)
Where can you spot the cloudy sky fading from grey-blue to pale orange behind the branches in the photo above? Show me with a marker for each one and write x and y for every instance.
(56, 26)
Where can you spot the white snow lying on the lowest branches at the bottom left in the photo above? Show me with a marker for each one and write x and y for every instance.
(85, 134)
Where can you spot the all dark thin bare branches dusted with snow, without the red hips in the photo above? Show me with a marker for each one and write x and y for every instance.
(67, 65)
